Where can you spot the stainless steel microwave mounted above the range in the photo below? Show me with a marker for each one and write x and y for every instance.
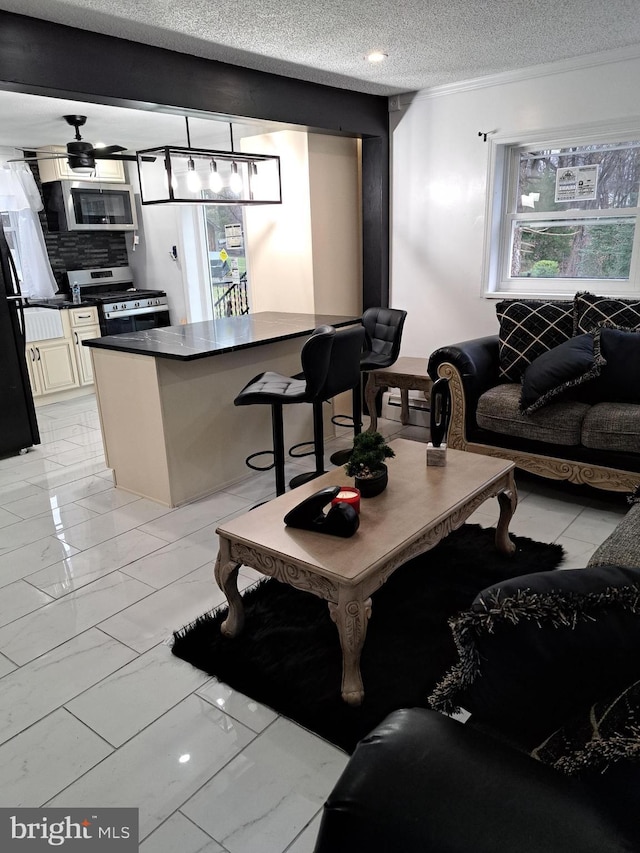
(89, 206)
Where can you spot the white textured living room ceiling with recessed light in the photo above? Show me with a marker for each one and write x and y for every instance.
(429, 42)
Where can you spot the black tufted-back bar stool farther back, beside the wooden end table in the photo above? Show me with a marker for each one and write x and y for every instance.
(383, 336)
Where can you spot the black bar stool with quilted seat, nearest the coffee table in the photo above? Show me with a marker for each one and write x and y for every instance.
(330, 365)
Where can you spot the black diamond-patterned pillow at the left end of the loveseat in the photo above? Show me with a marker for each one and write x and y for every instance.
(528, 328)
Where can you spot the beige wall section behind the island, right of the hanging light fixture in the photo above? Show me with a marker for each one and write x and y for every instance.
(304, 255)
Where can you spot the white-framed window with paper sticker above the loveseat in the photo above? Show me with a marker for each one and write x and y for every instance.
(565, 219)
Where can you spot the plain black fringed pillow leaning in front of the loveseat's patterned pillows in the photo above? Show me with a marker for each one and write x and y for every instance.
(556, 371)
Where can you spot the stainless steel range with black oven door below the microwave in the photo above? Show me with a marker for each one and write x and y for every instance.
(121, 308)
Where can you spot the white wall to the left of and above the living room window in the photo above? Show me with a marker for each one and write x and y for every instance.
(439, 190)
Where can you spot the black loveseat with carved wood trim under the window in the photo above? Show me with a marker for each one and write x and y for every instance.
(582, 431)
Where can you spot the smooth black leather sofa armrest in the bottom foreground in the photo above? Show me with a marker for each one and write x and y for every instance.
(422, 781)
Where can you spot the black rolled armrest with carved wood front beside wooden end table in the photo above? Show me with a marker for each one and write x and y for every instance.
(477, 362)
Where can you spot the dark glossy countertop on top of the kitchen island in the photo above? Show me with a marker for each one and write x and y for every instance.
(214, 337)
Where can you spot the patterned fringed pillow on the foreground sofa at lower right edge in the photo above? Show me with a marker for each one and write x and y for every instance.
(608, 732)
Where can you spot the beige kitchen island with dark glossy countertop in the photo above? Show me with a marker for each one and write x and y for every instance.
(165, 396)
